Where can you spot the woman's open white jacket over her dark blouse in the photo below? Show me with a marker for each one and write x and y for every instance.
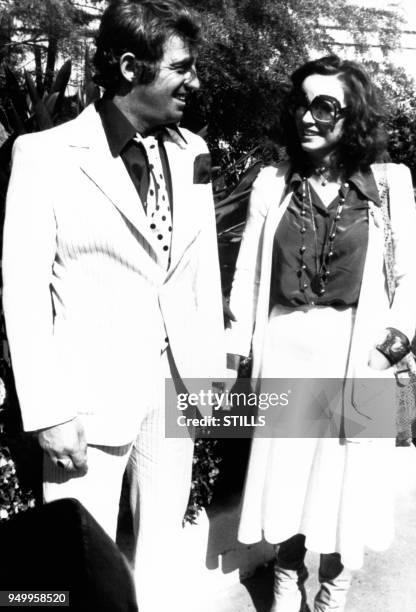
(250, 293)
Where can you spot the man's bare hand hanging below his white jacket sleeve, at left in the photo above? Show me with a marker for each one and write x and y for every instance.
(66, 445)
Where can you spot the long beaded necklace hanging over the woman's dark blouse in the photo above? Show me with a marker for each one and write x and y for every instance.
(322, 265)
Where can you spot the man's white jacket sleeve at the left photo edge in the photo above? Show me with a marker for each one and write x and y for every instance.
(29, 248)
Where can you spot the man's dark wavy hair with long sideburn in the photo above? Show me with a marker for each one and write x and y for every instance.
(141, 27)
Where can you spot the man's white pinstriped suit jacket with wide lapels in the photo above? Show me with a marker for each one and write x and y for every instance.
(86, 304)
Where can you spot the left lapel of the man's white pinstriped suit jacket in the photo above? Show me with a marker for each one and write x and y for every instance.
(109, 174)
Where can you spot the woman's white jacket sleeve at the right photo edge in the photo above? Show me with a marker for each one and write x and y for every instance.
(403, 222)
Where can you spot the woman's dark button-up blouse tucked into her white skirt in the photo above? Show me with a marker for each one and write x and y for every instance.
(289, 286)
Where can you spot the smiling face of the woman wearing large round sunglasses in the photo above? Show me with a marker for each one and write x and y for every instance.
(318, 139)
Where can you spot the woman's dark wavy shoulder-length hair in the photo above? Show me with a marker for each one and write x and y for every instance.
(363, 140)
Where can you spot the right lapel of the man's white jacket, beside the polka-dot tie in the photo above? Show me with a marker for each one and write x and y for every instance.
(186, 225)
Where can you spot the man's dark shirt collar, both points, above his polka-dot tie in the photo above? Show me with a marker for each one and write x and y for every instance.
(119, 131)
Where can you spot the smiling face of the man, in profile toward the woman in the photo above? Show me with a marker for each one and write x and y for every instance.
(163, 101)
